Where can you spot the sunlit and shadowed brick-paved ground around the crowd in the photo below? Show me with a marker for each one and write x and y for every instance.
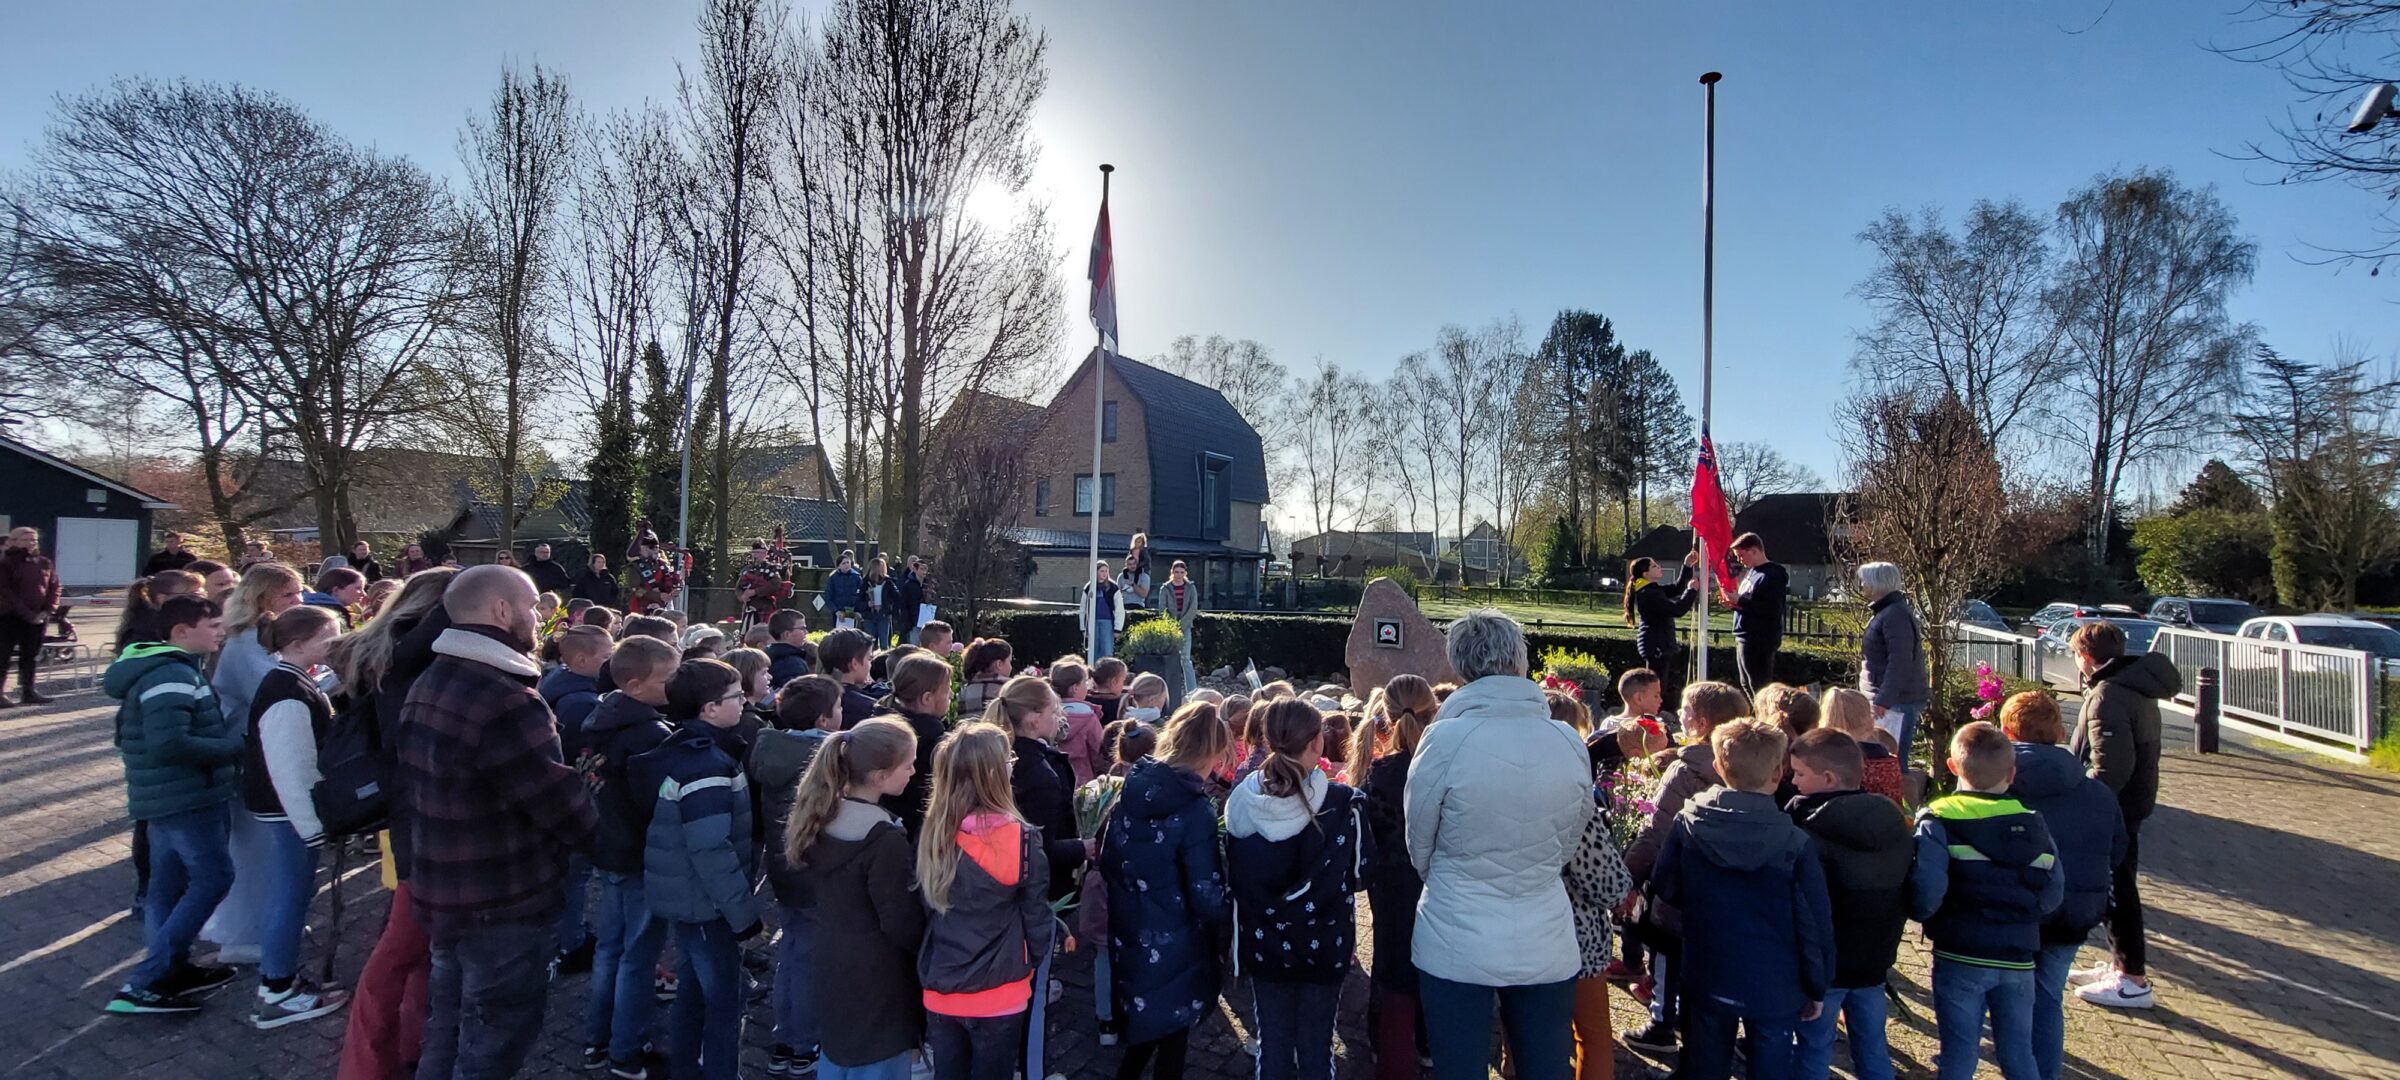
(2272, 889)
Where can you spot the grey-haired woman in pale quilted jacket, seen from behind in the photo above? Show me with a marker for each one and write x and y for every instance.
(1496, 803)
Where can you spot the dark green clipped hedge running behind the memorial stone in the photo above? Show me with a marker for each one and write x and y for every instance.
(1314, 644)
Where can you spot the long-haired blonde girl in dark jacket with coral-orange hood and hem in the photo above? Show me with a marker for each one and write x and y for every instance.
(988, 882)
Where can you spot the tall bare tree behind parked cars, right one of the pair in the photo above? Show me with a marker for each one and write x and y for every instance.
(2142, 287)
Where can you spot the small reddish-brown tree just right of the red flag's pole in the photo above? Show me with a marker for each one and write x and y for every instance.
(1928, 500)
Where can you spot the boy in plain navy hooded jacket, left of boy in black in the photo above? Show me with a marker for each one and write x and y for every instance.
(1741, 870)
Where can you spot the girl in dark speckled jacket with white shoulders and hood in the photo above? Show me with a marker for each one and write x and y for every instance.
(1295, 860)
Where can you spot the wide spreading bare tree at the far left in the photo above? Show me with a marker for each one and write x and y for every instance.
(328, 270)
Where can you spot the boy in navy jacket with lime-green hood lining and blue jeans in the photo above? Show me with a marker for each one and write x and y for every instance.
(1984, 882)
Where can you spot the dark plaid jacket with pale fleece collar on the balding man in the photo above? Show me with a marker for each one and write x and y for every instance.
(491, 805)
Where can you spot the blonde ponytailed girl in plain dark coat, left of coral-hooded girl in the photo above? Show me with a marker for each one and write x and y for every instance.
(865, 918)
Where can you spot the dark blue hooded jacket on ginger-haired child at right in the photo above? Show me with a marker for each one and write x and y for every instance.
(2084, 822)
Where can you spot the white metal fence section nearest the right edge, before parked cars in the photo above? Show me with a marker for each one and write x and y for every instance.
(2308, 692)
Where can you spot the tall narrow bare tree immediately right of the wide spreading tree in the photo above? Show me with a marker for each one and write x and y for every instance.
(520, 172)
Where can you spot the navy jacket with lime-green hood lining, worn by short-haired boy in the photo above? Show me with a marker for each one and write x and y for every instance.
(1984, 882)
